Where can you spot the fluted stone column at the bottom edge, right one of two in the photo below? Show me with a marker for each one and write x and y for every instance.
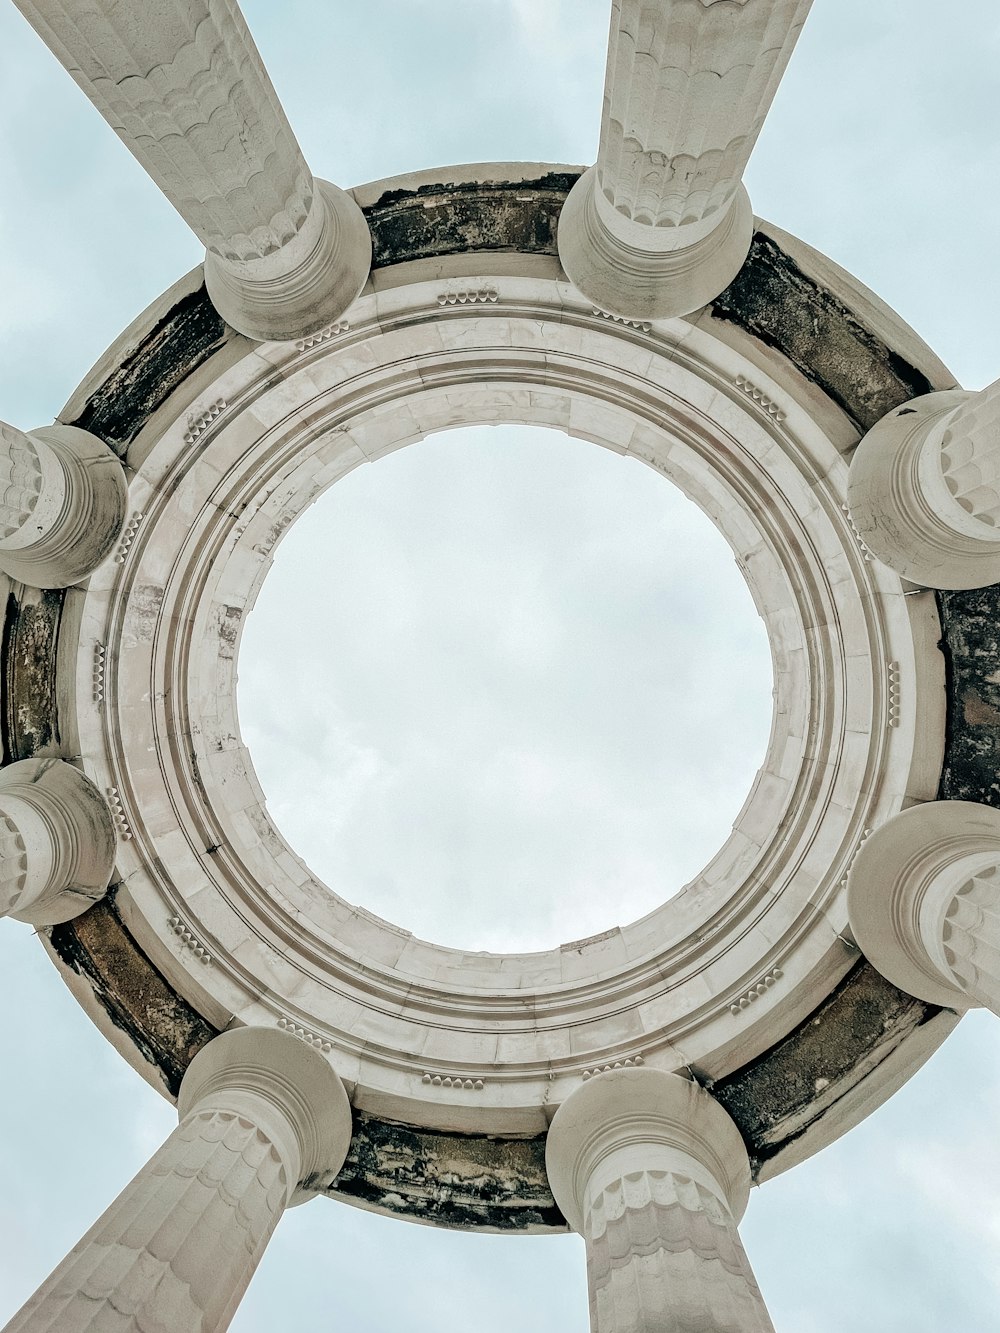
(654, 1174)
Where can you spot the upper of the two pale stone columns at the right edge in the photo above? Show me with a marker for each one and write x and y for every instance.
(925, 489)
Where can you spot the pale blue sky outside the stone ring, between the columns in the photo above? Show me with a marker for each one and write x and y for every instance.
(869, 117)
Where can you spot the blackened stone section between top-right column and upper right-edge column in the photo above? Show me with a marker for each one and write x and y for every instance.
(777, 302)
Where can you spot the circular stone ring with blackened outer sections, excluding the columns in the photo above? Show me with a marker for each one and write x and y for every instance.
(754, 409)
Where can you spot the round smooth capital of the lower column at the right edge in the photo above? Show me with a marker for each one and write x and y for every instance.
(901, 887)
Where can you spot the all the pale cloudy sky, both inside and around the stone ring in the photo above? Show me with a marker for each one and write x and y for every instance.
(882, 151)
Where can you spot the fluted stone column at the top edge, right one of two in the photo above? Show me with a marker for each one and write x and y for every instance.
(663, 225)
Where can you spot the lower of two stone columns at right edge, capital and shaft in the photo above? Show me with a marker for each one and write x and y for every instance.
(925, 903)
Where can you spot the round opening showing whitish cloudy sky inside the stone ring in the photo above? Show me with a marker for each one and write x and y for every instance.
(505, 690)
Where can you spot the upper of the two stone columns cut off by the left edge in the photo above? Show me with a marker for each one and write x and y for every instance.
(63, 501)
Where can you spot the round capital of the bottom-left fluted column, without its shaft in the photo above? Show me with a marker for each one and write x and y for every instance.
(277, 1080)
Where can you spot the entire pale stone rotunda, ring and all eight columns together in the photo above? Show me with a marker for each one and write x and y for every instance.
(631, 1086)
